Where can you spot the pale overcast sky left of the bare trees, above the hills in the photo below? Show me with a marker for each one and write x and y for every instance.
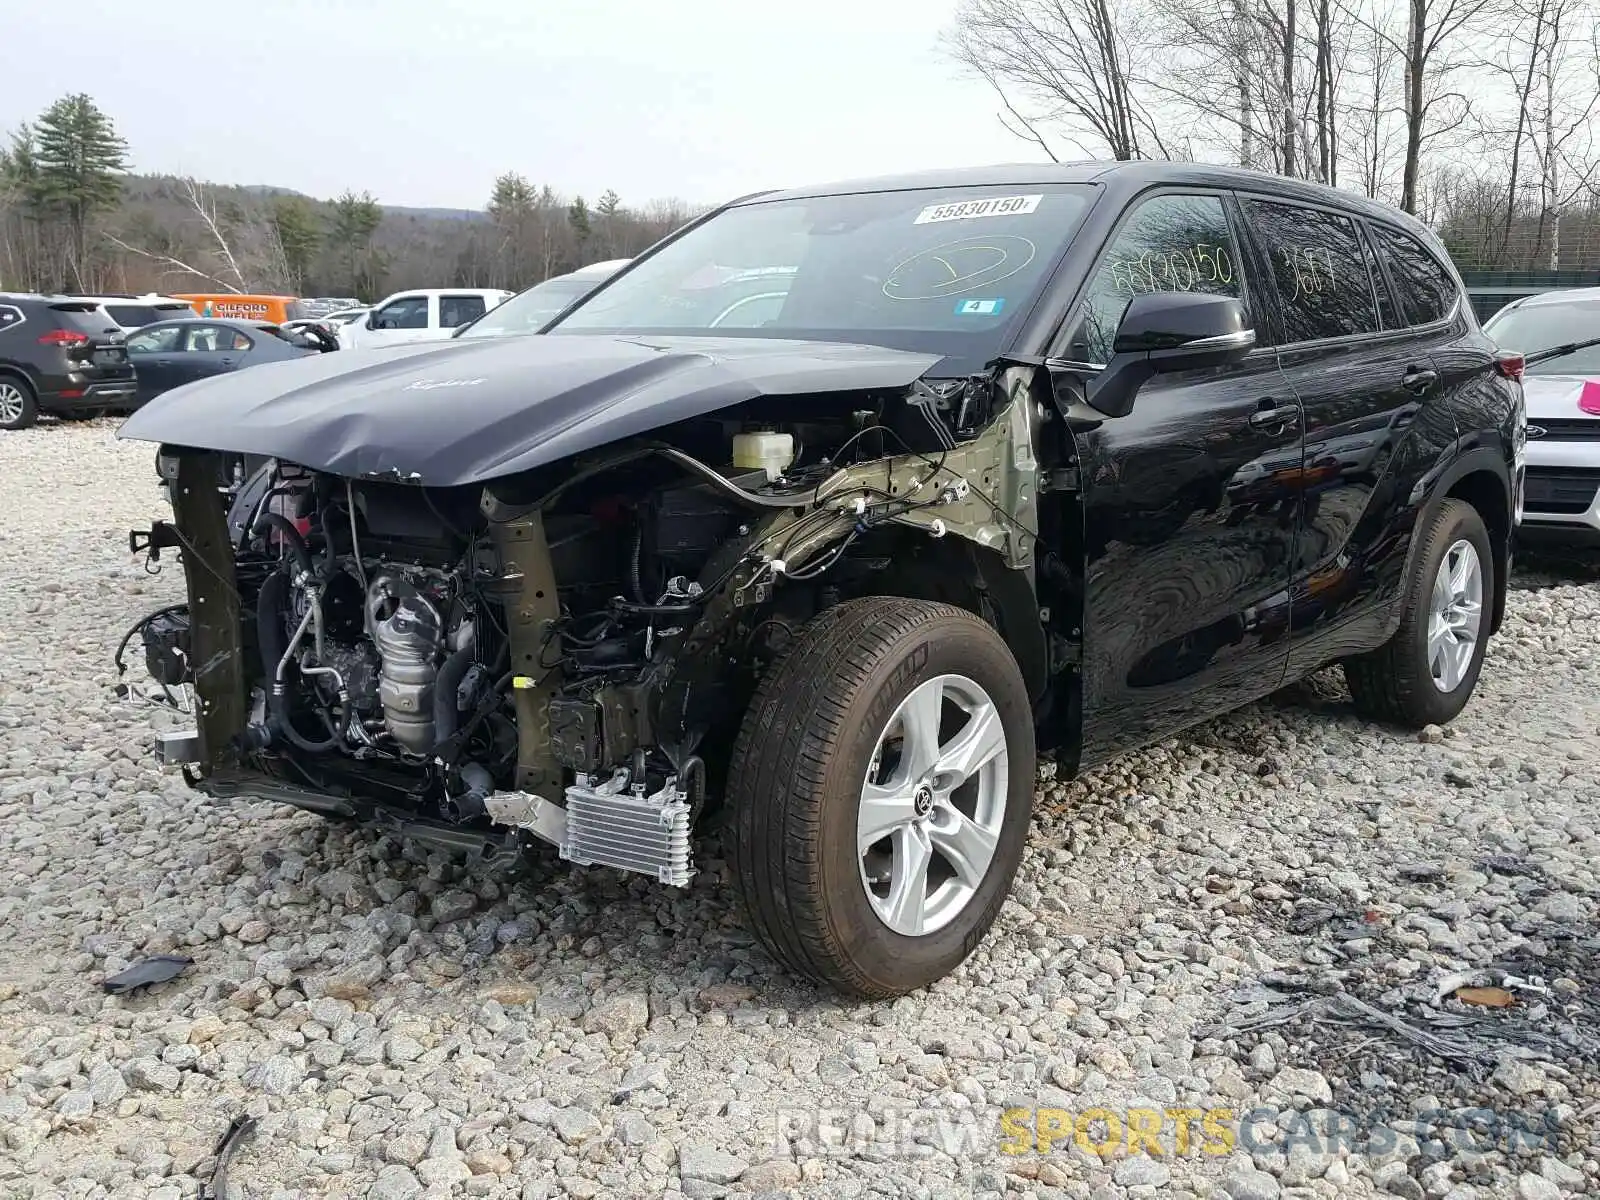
(426, 102)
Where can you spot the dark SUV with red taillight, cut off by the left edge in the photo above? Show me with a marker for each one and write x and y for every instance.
(60, 356)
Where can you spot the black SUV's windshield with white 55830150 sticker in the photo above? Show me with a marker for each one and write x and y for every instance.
(938, 271)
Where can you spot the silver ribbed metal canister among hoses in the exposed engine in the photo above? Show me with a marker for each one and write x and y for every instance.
(409, 633)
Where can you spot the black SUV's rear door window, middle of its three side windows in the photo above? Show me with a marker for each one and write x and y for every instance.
(1321, 270)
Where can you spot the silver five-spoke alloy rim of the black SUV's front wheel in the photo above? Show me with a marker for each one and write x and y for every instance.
(934, 806)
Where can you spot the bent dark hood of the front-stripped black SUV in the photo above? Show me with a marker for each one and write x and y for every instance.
(468, 410)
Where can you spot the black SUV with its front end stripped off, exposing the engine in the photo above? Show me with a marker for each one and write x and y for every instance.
(826, 513)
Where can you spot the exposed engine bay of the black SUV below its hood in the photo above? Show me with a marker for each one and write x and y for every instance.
(564, 655)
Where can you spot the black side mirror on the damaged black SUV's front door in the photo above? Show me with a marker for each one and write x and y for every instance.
(1169, 332)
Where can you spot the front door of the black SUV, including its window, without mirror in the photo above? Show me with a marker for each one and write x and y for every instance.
(1190, 530)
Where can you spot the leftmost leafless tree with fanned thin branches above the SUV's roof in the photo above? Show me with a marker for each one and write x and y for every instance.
(1070, 63)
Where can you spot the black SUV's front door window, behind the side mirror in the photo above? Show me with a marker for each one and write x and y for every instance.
(1169, 244)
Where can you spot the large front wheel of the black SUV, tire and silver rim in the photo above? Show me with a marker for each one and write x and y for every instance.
(796, 788)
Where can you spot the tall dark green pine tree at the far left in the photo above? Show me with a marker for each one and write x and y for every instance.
(78, 161)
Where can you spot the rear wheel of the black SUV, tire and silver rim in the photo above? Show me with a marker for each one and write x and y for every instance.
(1401, 682)
